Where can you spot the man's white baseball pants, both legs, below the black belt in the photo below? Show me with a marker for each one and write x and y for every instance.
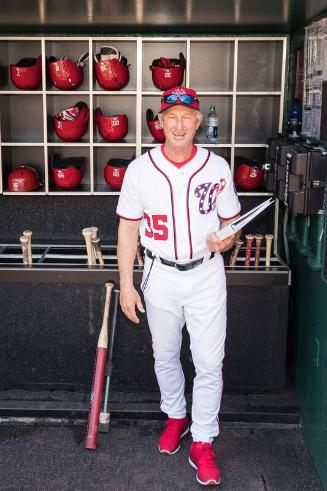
(197, 297)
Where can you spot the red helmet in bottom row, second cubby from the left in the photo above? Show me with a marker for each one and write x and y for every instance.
(67, 172)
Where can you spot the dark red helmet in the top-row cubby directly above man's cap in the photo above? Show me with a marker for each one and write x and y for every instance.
(168, 72)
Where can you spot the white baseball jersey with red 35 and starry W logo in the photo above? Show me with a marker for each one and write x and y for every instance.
(178, 207)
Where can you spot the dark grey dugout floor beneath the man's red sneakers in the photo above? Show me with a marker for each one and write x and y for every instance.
(52, 458)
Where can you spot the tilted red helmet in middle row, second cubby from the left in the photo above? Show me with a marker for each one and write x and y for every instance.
(71, 124)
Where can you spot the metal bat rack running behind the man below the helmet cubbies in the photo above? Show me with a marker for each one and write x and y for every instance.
(67, 263)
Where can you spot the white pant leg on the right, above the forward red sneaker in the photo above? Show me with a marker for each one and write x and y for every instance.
(205, 314)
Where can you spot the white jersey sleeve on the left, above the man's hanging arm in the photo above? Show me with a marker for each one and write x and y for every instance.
(129, 203)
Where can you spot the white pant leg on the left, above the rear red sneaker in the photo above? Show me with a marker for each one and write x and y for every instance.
(166, 321)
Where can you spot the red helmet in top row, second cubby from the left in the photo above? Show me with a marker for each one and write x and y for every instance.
(66, 74)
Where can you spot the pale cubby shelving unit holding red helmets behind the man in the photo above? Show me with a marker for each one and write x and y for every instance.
(243, 76)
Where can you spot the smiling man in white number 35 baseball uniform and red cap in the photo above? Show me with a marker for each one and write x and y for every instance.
(176, 196)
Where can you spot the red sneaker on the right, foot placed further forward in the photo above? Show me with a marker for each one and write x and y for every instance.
(202, 458)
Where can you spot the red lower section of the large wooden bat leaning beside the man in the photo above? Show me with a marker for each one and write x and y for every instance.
(95, 405)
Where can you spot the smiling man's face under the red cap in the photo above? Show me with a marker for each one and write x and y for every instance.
(180, 124)
